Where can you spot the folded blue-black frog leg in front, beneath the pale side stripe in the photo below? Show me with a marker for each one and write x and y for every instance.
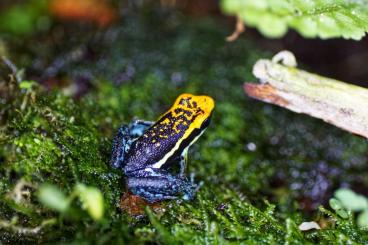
(157, 185)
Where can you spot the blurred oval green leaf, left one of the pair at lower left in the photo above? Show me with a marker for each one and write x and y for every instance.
(52, 197)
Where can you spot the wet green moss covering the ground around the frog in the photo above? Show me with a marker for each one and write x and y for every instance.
(265, 170)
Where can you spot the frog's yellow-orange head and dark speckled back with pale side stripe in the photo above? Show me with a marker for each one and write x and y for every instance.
(164, 141)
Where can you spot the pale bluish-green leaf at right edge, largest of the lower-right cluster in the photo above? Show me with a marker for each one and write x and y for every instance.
(350, 200)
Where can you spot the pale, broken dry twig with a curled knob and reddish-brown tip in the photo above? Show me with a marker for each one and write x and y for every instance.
(341, 104)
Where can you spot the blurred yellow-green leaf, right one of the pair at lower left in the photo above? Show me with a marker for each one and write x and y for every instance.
(92, 200)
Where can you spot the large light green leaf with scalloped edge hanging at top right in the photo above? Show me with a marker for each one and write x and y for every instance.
(312, 18)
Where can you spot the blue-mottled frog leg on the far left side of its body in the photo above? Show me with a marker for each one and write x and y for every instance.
(120, 146)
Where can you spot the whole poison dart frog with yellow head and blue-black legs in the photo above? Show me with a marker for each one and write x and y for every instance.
(147, 151)
